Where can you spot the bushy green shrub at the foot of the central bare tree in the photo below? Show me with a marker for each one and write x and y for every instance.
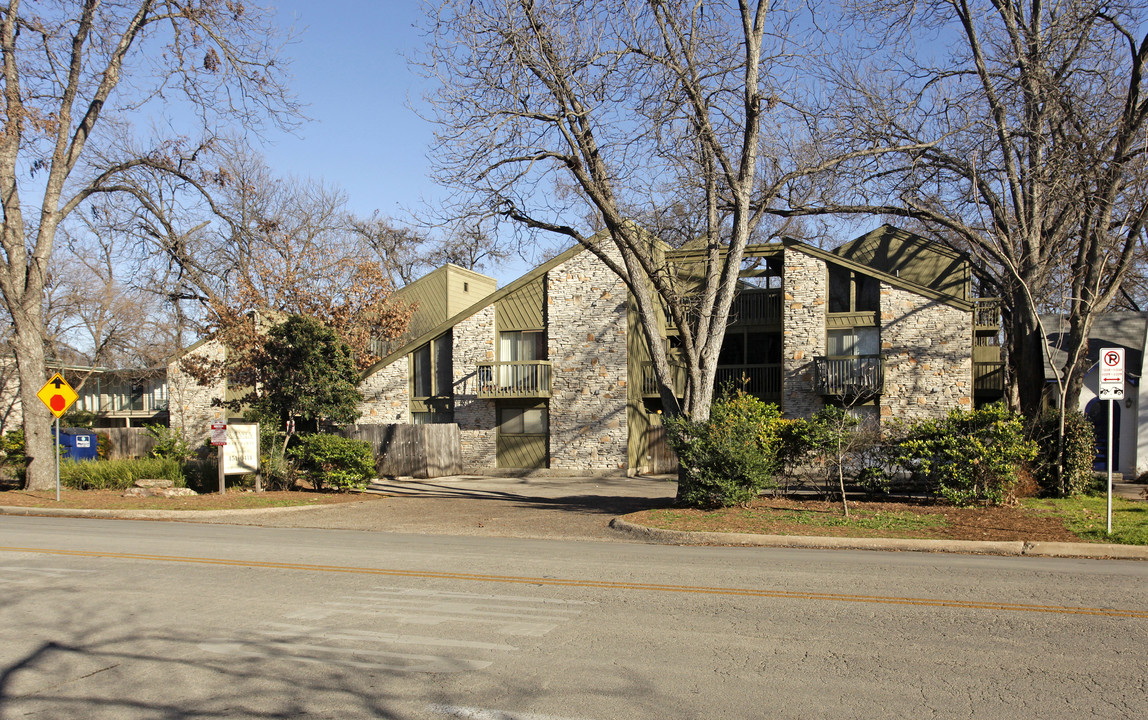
(730, 459)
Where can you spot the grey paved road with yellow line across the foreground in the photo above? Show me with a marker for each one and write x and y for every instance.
(135, 620)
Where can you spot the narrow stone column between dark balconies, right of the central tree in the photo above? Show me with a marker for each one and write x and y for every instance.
(805, 288)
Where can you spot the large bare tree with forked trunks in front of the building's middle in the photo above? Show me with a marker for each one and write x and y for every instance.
(578, 117)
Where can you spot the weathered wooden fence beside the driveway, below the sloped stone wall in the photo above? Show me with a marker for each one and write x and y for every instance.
(416, 451)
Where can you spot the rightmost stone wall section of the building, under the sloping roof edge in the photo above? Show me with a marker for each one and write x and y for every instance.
(928, 350)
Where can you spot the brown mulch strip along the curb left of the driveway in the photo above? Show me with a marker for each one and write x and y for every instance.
(232, 500)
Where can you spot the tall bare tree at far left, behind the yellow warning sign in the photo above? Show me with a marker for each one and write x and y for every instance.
(72, 74)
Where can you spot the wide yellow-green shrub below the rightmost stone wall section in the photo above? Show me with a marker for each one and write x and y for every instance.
(968, 458)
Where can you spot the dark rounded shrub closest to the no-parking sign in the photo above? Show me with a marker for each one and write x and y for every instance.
(1080, 453)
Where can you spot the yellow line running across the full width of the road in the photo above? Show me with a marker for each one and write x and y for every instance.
(1108, 613)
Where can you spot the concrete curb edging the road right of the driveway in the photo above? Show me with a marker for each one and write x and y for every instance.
(968, 547)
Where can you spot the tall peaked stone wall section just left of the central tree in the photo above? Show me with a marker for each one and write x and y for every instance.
(587, 345)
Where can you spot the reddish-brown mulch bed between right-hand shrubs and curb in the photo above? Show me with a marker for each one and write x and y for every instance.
(868, 520)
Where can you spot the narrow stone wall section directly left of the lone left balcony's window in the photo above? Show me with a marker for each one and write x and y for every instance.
(475, 343)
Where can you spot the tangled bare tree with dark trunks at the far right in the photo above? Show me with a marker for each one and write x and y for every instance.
(1036, 113)
